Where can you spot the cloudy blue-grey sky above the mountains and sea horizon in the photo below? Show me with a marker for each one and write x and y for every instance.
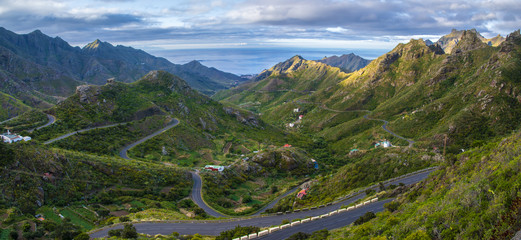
(197, 24)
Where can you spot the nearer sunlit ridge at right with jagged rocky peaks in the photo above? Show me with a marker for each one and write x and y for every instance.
(428, 93)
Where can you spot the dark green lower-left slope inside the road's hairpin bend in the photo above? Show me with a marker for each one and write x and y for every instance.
(87, 190)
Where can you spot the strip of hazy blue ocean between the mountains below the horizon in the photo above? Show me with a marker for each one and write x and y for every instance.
(243, 61)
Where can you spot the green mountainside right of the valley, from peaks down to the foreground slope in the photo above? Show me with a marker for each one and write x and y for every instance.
(447, 103)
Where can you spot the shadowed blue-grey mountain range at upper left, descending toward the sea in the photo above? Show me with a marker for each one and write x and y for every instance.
(39, 69)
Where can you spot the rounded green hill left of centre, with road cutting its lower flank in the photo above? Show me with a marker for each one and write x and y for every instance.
(147, 105)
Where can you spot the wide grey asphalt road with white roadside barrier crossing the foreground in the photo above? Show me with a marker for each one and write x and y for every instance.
(214, 227)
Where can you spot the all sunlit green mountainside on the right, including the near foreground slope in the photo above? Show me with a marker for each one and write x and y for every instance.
(457, 99)
